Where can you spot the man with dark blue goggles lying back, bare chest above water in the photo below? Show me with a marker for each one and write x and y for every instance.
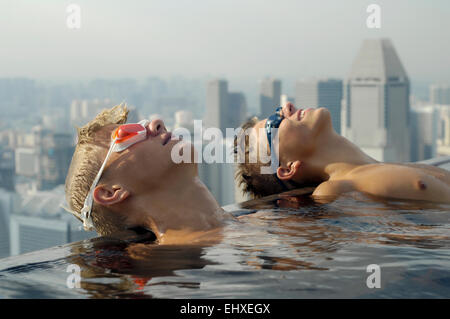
(310, 152)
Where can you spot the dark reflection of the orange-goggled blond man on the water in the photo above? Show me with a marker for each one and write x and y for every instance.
(139, 260)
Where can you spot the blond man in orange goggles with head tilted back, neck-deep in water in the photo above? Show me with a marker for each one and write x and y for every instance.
(122, 177)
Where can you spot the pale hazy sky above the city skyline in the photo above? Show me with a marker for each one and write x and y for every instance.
(232, 38)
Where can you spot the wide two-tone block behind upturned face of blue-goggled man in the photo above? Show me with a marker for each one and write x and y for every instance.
(321, 93)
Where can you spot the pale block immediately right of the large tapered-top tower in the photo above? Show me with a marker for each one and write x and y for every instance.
(424, 132)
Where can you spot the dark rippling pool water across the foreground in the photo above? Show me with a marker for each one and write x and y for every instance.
(287, 246)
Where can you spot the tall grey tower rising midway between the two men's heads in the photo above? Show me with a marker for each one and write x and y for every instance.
(217, 104)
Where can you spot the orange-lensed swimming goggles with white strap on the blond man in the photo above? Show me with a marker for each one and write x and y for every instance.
(122, 138)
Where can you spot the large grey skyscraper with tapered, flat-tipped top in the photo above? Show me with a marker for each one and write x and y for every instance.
(376, 109)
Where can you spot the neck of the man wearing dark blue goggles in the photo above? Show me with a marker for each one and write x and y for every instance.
(336, 156)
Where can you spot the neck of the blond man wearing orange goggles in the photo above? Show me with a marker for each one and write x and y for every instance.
(188, 207)
